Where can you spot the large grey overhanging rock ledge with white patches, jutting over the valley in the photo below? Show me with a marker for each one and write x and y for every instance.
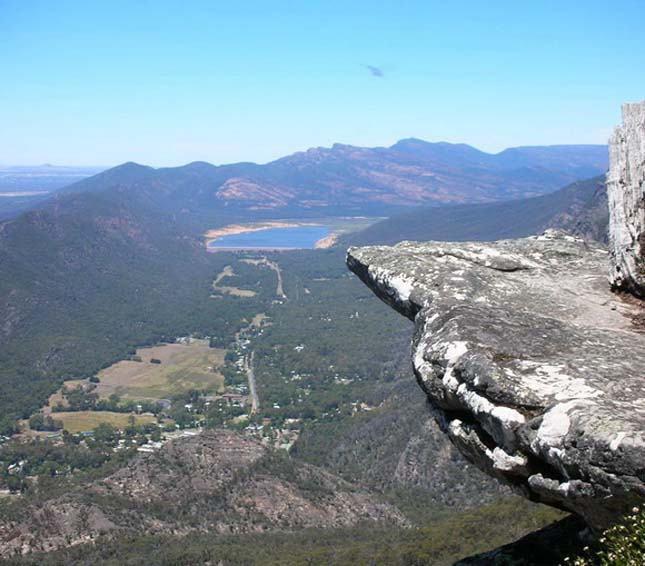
(531, 365)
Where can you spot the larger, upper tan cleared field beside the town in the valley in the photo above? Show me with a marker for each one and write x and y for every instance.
(182, 367)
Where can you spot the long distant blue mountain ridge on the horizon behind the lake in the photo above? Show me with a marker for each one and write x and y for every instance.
(347, 179)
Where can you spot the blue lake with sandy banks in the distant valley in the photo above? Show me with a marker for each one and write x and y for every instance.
(292, 237)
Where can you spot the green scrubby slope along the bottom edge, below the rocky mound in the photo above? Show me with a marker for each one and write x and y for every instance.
(439, 543)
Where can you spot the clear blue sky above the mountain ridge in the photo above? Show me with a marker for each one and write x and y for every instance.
(165, 83)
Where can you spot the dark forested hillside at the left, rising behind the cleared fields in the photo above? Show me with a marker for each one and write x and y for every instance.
(87, 278)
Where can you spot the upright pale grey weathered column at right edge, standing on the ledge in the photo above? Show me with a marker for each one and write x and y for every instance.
(626, 192)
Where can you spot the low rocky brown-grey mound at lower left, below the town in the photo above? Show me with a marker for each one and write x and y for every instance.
(216, 482)
